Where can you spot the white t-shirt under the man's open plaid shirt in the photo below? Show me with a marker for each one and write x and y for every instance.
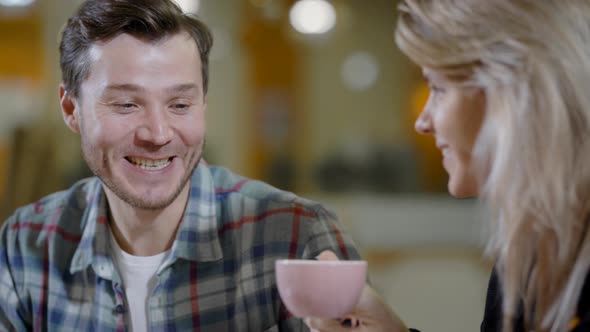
(139, 279)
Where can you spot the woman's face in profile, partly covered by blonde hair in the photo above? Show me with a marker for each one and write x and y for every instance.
(454, 115)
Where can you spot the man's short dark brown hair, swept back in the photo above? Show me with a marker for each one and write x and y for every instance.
(102, 20)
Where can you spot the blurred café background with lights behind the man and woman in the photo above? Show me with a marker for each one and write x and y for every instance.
(311, 96)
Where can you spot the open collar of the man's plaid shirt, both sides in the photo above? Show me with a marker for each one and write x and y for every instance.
(196, 240)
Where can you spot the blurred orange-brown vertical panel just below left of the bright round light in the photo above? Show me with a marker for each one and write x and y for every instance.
(274, 59)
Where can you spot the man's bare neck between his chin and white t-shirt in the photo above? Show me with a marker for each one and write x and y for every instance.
(142, 232)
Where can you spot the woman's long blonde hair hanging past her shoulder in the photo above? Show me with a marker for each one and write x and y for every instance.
(532, 59)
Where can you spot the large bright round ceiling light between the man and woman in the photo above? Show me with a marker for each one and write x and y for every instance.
(312, 16)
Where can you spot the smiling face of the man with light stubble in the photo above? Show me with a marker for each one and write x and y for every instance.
(140, 114)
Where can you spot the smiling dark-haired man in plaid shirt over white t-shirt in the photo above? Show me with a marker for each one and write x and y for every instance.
(158, 240)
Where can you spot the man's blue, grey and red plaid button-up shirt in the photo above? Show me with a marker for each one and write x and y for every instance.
(56, 271)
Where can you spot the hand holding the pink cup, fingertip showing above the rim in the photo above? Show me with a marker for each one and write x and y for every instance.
(371, 314)
